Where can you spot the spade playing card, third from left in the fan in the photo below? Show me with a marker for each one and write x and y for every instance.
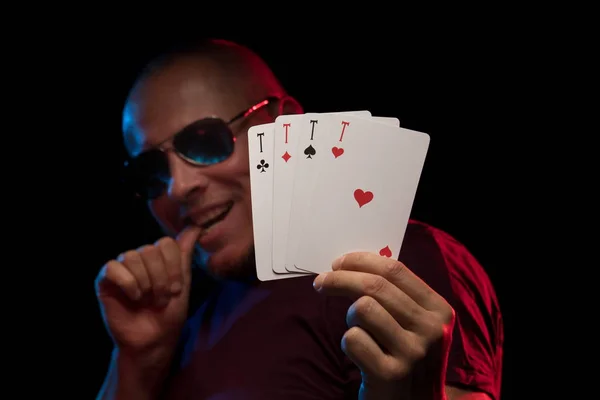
(314, 136)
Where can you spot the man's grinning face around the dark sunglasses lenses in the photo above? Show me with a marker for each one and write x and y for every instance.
(159, 108)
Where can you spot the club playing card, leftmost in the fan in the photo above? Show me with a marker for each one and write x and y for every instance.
(260, 154)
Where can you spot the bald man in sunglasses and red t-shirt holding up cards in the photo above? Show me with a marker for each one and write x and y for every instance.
(368, 329)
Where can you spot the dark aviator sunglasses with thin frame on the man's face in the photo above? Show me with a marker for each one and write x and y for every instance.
(205, 142)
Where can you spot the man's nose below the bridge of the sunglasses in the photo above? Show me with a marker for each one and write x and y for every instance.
(186, 179)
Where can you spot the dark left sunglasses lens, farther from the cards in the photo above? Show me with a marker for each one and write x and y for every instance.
(148, 174)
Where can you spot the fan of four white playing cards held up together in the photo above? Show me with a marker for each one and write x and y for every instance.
(325, 184)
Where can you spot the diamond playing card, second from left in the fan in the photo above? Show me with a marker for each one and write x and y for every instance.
(289, 131)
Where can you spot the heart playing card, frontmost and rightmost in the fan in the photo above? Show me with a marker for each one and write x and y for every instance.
(363, 194)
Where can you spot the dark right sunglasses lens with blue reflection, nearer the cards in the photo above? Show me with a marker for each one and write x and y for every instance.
(208, 141)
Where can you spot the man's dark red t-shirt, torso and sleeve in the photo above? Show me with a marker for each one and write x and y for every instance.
(281, 339)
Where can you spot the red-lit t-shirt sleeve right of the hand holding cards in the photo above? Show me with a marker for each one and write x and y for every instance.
(476, 354)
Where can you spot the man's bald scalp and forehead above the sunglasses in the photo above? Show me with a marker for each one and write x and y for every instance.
(219, 77)
